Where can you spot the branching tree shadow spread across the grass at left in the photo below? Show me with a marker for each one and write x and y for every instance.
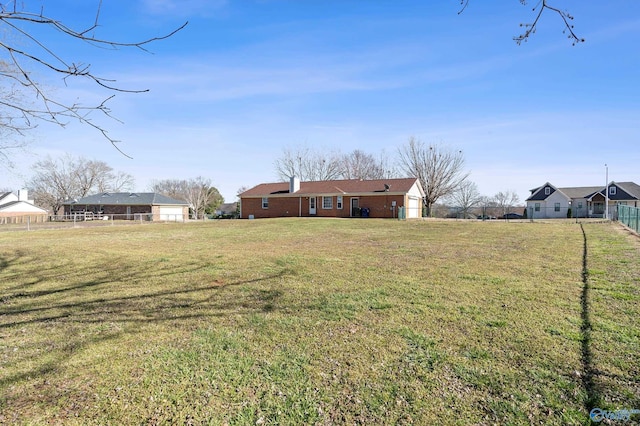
(77, 303)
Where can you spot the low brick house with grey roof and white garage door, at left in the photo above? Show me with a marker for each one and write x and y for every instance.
(128, 206)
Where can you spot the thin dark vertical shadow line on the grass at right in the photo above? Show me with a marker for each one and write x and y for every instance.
(589, 371)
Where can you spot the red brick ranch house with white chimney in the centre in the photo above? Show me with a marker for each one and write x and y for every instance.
(336, 198)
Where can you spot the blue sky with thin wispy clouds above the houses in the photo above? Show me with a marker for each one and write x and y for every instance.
(246, 79)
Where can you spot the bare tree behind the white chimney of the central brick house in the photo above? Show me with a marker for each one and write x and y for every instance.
(308, 164)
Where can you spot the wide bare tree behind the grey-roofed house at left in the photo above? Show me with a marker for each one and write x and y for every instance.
(56, 181)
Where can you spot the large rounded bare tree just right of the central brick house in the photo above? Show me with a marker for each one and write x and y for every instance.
(439, 170)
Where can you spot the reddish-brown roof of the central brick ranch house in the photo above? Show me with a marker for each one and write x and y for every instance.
(334, 187)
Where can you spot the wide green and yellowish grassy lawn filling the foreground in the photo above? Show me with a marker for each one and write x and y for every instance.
(297, 321)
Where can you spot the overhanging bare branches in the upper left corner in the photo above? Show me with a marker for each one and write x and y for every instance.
(24, 101)
